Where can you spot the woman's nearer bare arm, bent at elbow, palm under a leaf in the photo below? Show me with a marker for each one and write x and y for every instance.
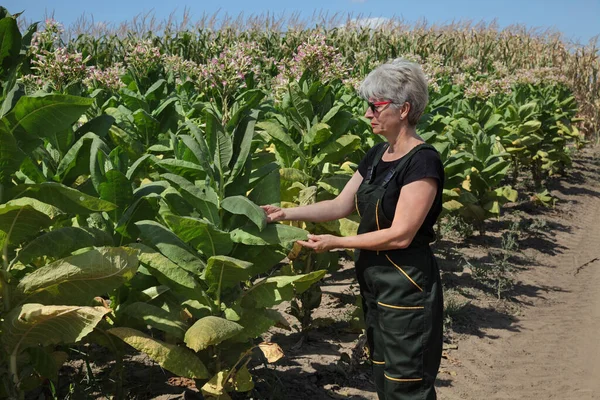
(414, 203)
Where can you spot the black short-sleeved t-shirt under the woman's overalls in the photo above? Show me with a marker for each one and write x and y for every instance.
(425, 163)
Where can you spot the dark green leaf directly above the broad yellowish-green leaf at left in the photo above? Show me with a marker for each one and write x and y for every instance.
(61, 242)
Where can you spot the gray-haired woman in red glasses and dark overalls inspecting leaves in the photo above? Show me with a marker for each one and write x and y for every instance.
(397, 192)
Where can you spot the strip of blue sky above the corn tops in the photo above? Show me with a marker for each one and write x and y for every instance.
(578, 20)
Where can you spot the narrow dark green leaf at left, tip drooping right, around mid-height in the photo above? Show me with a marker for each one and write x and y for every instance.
(69, 200)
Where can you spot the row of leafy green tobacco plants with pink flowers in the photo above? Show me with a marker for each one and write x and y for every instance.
(130, 194)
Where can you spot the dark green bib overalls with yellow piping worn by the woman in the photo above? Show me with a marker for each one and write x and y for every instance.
(402, 300)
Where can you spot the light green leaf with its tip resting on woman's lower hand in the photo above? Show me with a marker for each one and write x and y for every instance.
(272, 234)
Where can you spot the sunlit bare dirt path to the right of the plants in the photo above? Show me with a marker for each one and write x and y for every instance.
(552, 349)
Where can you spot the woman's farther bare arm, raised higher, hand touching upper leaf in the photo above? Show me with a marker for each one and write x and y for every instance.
(327, 210)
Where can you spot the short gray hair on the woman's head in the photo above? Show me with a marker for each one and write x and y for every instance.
(400, 81)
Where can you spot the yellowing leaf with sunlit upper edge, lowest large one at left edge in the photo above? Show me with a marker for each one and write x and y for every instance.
(38, 325)
